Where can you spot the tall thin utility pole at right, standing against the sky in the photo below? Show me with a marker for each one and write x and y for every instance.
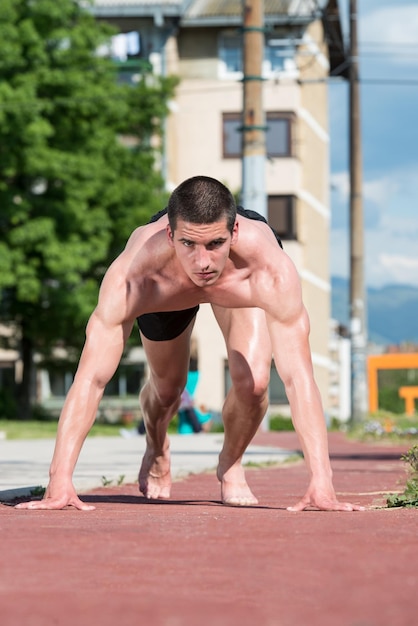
(358, 304)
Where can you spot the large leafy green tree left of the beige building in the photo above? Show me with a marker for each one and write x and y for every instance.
(71, 190)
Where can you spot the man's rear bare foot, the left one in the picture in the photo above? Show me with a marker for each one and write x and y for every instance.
(154, 476)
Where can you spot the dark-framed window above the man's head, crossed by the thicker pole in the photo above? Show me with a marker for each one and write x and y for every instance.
(278, 135)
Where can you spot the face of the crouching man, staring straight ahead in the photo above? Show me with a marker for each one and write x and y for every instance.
(202, 249)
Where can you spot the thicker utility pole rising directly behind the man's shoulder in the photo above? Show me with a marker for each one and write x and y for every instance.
(253, 118)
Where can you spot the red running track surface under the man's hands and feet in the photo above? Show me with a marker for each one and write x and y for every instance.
(191, 561)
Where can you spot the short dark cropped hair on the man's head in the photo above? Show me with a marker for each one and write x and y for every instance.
(201, 200)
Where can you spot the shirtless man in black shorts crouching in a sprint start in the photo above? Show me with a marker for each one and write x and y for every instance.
(202, 251)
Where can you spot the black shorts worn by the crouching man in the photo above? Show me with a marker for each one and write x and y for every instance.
(167, 325)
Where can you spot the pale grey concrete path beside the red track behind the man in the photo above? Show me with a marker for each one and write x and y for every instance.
(24, 465)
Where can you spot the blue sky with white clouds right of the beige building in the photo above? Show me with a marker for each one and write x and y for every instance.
(388, 46)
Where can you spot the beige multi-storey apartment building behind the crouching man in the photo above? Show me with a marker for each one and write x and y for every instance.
(201, 42)
